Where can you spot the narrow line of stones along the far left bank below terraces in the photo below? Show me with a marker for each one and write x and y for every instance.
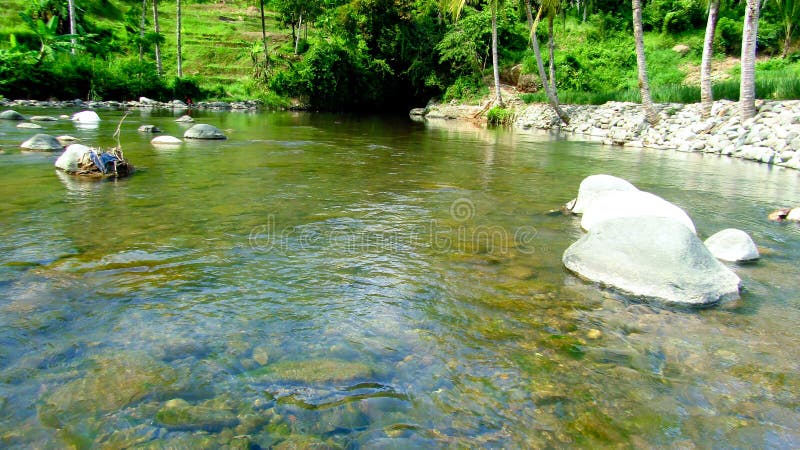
(143, 102)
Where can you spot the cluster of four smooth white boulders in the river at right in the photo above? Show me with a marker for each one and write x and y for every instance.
(646, 247)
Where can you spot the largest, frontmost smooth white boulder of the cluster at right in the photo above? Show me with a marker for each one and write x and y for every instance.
(654, 258)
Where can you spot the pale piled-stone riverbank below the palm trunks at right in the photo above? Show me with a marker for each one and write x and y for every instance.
(771, 137)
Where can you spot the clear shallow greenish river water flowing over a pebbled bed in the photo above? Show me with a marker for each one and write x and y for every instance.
(326, 281)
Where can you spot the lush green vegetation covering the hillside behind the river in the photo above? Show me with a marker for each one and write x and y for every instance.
(373, 55)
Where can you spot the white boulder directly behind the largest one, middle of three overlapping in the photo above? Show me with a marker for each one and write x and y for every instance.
(615, 204)
